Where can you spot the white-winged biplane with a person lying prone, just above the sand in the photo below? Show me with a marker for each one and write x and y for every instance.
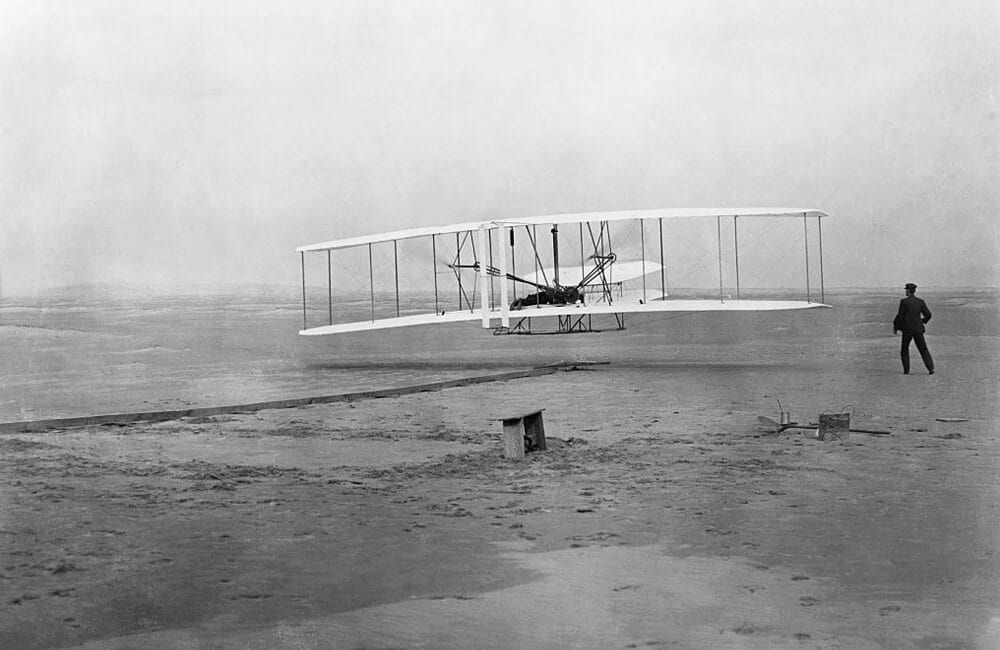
(505, 274)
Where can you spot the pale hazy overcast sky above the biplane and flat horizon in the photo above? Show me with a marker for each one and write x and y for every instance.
(174, 142)
